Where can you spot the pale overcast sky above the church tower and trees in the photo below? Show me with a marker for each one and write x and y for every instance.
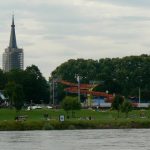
(53, 31)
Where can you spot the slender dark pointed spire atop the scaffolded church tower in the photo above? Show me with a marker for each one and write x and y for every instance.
(12, 42)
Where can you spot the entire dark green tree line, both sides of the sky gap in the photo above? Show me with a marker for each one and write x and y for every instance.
(122, 76)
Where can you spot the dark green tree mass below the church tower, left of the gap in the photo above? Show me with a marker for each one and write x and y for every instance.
(34, 85)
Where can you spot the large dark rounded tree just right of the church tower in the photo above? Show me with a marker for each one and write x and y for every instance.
(36, 87)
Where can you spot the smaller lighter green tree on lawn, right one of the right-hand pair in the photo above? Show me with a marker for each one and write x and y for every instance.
(126, 107)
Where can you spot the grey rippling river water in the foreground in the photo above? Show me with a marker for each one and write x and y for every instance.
(118, 139)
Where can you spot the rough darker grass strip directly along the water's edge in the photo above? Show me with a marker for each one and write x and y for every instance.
(70, 125)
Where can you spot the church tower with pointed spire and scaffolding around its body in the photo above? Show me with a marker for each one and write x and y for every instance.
(13, 57)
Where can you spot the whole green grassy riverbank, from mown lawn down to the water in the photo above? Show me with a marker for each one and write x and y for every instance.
(35, 120)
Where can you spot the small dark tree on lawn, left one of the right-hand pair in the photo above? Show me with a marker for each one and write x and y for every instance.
(117, 102)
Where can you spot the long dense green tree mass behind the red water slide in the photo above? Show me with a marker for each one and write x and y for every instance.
(117, 75)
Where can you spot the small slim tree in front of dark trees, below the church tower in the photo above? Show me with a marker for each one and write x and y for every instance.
(18, 97)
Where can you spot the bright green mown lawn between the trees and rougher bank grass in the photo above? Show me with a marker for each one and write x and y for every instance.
(84, 114)
